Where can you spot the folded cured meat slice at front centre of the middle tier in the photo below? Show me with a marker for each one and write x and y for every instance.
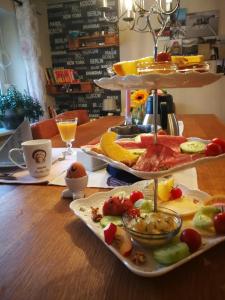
(160, 157)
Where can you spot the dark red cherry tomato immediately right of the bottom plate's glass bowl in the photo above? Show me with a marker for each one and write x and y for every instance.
(192, 238)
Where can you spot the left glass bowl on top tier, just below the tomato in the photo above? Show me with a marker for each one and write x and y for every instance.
(165, 67)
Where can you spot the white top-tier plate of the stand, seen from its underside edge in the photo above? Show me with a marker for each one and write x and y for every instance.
(158, 81)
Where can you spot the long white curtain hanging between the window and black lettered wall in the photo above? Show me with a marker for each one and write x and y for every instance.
(28, 29)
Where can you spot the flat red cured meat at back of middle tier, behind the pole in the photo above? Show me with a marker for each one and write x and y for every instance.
(170, 141)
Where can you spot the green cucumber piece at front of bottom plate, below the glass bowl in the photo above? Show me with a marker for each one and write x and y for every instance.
(171, 254)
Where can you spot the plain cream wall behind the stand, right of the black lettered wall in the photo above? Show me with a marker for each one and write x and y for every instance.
(204, 100)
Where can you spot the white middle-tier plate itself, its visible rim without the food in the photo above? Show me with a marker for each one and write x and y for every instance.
(155, 174)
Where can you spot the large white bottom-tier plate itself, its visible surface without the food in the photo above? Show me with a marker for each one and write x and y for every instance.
(82, 209)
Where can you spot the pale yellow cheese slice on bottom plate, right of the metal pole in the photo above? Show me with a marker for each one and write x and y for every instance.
(186, 206)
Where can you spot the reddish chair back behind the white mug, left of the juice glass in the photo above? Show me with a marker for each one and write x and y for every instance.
(44, 129)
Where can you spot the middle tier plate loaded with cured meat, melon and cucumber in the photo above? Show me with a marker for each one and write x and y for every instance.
(146, 160)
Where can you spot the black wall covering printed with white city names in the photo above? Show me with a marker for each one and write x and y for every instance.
(80, 19)
